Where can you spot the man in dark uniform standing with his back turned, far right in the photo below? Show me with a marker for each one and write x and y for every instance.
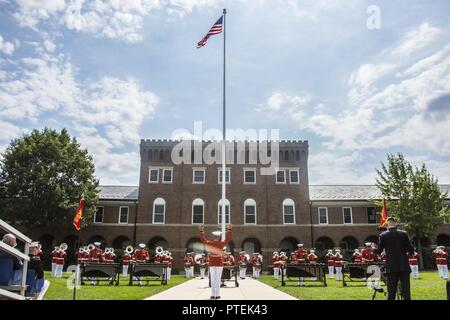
(397, 245)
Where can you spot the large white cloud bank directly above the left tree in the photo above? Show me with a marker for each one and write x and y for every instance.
(105, 114)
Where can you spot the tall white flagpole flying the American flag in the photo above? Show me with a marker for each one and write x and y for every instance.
(224, 131)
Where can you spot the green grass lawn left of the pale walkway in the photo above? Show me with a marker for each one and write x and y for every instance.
(58, 289)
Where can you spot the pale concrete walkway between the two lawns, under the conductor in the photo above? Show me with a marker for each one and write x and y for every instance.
(197, 289)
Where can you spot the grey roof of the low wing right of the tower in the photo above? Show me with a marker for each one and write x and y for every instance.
(351, 192)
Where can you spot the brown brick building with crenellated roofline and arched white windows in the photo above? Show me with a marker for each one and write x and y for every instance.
(268, 212)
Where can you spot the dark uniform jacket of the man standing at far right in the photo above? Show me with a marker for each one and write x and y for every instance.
(396, 244)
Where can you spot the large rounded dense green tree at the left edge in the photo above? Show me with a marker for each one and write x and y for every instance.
(42, 177)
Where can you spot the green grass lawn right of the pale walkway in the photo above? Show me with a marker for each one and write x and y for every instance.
(428, 287)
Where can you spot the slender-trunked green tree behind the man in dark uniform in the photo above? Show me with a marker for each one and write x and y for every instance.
(415, 198)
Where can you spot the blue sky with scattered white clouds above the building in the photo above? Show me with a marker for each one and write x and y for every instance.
(113, 72)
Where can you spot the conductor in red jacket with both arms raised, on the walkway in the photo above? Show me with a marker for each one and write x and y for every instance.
(215, 258)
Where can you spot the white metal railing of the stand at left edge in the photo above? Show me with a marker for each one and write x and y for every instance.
(24, 256)
